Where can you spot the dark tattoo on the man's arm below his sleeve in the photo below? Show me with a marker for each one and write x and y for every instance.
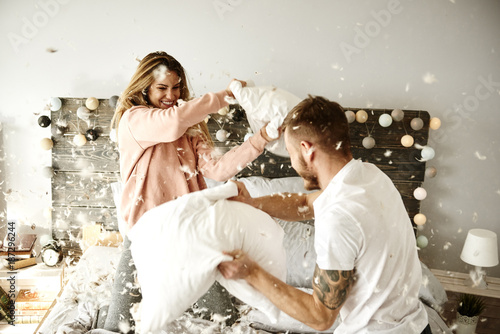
(332, 286)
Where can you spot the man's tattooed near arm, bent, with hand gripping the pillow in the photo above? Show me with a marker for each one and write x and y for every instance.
(319, 310)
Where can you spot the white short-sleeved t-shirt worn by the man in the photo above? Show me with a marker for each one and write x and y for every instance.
(361, 223)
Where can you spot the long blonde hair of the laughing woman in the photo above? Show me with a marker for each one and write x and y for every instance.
(136, 92)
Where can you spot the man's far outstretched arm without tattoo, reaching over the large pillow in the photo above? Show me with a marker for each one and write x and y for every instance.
(286, 206)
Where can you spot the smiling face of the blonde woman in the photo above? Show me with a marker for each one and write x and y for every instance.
(165, 91)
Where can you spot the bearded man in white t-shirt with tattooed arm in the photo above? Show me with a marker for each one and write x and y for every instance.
(367, 269)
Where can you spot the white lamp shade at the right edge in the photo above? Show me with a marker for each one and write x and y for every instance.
(480, 248)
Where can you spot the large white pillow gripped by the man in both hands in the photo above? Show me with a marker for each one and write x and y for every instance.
(178, 245)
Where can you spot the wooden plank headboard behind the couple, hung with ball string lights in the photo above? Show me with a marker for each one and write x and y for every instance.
(81, 192)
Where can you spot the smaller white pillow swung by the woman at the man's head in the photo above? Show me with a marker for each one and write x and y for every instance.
(266, 105)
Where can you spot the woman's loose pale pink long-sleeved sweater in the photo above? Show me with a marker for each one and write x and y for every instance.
(159, 161)
